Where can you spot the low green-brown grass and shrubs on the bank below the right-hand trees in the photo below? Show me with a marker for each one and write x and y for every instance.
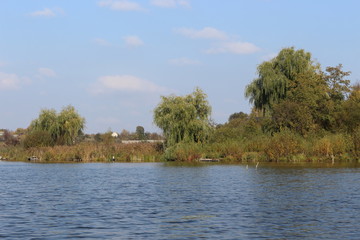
(281, 147)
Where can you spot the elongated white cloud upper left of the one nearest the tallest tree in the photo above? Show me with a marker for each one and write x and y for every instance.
(205, 33)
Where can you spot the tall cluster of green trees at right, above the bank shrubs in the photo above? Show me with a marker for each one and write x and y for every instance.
(295, 94)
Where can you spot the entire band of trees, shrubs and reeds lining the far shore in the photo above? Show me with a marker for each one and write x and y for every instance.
(300, 114)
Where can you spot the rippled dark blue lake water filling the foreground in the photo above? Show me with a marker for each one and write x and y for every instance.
(167, 201)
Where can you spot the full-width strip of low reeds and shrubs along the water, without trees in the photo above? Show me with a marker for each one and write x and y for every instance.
(285, 146)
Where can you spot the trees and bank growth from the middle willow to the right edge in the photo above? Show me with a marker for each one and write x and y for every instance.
(300, 112)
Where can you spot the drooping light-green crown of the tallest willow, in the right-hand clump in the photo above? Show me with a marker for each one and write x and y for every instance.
(277, 76)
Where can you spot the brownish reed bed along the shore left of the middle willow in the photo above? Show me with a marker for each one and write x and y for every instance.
(86, 152)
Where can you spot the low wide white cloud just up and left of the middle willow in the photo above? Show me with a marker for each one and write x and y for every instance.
(126, 83)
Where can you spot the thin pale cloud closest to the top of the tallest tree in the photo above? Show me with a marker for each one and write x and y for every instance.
(234, 47)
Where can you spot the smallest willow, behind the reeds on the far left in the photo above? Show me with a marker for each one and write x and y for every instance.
(63, 128)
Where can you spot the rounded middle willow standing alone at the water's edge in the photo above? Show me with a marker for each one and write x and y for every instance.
(184, 119)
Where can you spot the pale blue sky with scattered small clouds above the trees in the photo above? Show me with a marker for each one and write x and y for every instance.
(114, 59)
